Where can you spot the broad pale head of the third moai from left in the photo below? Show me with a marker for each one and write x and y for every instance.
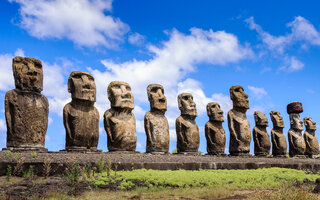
(120, 95)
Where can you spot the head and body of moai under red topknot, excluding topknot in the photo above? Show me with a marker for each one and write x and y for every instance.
(297, 145)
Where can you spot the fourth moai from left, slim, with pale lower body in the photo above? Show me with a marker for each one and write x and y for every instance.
(155, 123)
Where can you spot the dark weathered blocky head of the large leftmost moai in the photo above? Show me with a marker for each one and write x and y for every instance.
(27, 74)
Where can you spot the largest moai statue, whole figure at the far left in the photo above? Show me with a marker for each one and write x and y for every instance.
(26, 109)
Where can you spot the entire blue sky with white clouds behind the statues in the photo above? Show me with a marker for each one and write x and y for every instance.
(203, 47)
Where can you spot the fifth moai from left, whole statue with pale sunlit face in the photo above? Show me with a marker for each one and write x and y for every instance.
(187, 131)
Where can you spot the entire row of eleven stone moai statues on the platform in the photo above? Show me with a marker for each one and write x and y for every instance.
(26, 112)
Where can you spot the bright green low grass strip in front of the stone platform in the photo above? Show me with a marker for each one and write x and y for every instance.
(259, 178)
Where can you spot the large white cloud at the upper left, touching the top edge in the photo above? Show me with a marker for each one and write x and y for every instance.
(83, 21)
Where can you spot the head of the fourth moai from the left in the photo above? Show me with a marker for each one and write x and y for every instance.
(156, 97)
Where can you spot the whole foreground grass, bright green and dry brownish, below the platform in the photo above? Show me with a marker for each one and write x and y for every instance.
(268, 183)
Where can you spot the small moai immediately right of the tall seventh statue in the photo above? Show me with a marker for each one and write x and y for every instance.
(261, 137)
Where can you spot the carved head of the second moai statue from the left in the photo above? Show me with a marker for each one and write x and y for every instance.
(81, 86)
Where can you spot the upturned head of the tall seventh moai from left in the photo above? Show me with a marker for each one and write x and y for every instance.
(239, 97)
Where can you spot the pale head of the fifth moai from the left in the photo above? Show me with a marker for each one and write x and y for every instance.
(187, 105)
